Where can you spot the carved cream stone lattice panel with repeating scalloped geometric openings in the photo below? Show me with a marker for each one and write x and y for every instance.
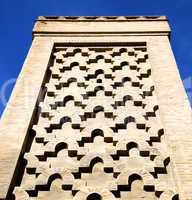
(98, 132)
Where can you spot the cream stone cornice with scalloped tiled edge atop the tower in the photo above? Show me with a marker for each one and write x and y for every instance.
(97, 26)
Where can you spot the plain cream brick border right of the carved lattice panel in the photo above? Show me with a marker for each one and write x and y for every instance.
(175, 112)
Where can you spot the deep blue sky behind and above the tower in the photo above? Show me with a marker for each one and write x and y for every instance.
(17, 19)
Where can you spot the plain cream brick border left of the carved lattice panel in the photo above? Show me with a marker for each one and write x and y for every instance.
(18, 113)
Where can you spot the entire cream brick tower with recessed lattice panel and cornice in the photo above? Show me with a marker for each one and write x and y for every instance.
(98, 112)
